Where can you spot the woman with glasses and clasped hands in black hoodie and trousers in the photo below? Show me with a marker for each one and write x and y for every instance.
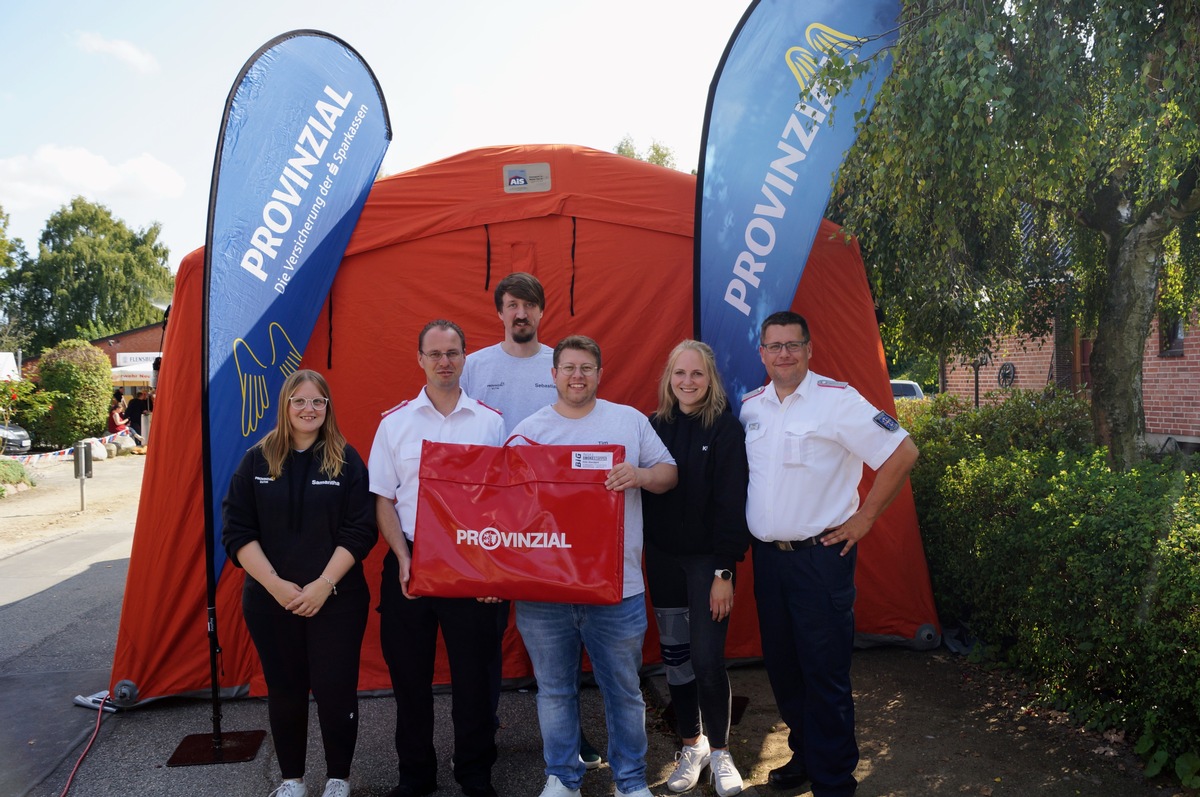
(299, 519)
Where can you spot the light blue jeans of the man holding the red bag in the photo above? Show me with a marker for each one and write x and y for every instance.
(613, 636)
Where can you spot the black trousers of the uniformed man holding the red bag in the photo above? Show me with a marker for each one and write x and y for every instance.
(409, 633)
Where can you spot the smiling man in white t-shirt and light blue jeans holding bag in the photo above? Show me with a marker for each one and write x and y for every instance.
(555, 634)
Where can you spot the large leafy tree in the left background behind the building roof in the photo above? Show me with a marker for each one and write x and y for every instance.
(93, 277)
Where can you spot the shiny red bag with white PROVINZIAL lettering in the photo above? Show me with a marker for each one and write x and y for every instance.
(520, 523)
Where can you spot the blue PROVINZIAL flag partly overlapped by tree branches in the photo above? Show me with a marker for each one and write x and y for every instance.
(769, 158)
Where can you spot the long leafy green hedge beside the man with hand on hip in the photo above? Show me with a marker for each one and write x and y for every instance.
(1085, 580)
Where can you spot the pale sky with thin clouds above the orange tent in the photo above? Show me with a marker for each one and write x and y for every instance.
(122, 103)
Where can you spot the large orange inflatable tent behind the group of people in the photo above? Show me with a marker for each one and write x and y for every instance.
(611, 241)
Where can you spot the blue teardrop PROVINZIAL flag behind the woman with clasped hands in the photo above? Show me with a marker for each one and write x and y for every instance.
(304, 134)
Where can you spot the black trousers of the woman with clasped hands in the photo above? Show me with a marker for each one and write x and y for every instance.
(320, 654)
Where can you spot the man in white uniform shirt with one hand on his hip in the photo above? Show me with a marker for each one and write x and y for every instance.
(807, 441)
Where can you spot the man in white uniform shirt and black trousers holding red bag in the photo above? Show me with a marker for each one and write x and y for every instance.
(409, 627)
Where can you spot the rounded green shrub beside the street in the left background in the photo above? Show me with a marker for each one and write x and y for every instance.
(83, 377)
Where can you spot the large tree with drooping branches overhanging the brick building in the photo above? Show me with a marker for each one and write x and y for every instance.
(1033, 159)
